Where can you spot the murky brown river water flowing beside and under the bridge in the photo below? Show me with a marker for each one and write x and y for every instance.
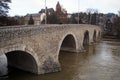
(101, 61)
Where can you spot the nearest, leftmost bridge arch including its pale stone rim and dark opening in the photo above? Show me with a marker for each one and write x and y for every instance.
(22, 59)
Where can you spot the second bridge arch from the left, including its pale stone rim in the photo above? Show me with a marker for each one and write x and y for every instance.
(61, 42)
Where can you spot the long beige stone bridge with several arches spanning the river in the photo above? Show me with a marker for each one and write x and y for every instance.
(36, 48)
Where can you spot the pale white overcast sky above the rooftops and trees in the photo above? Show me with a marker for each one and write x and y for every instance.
(22, 7)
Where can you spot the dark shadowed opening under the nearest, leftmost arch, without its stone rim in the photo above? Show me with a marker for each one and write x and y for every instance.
(22, 60)
